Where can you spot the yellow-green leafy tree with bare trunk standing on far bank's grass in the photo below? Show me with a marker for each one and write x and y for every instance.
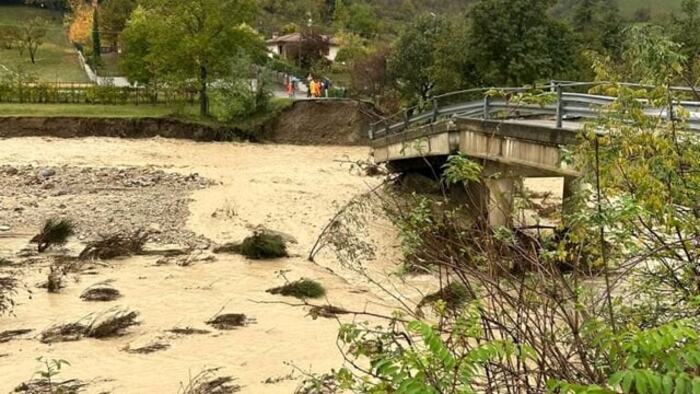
(194, 40)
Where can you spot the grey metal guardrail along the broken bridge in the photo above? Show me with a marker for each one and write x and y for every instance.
(564, 106)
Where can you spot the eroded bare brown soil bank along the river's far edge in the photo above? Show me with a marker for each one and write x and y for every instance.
(331, 122)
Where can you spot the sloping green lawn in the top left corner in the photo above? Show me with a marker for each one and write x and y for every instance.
(57, 59)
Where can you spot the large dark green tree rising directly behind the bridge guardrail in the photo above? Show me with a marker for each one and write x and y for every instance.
(517, 42)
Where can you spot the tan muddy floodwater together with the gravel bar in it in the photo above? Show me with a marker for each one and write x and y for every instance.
(237, 187)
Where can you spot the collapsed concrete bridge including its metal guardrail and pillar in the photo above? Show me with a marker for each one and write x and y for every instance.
(510, 138)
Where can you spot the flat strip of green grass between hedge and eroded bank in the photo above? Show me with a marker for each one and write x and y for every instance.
(97, 111)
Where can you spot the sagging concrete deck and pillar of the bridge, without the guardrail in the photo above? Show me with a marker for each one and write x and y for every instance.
(507, 152)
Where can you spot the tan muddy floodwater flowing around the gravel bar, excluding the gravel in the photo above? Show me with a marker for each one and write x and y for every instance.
(293, 189)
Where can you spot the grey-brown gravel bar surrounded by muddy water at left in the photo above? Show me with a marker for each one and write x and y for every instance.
(123, 199)
